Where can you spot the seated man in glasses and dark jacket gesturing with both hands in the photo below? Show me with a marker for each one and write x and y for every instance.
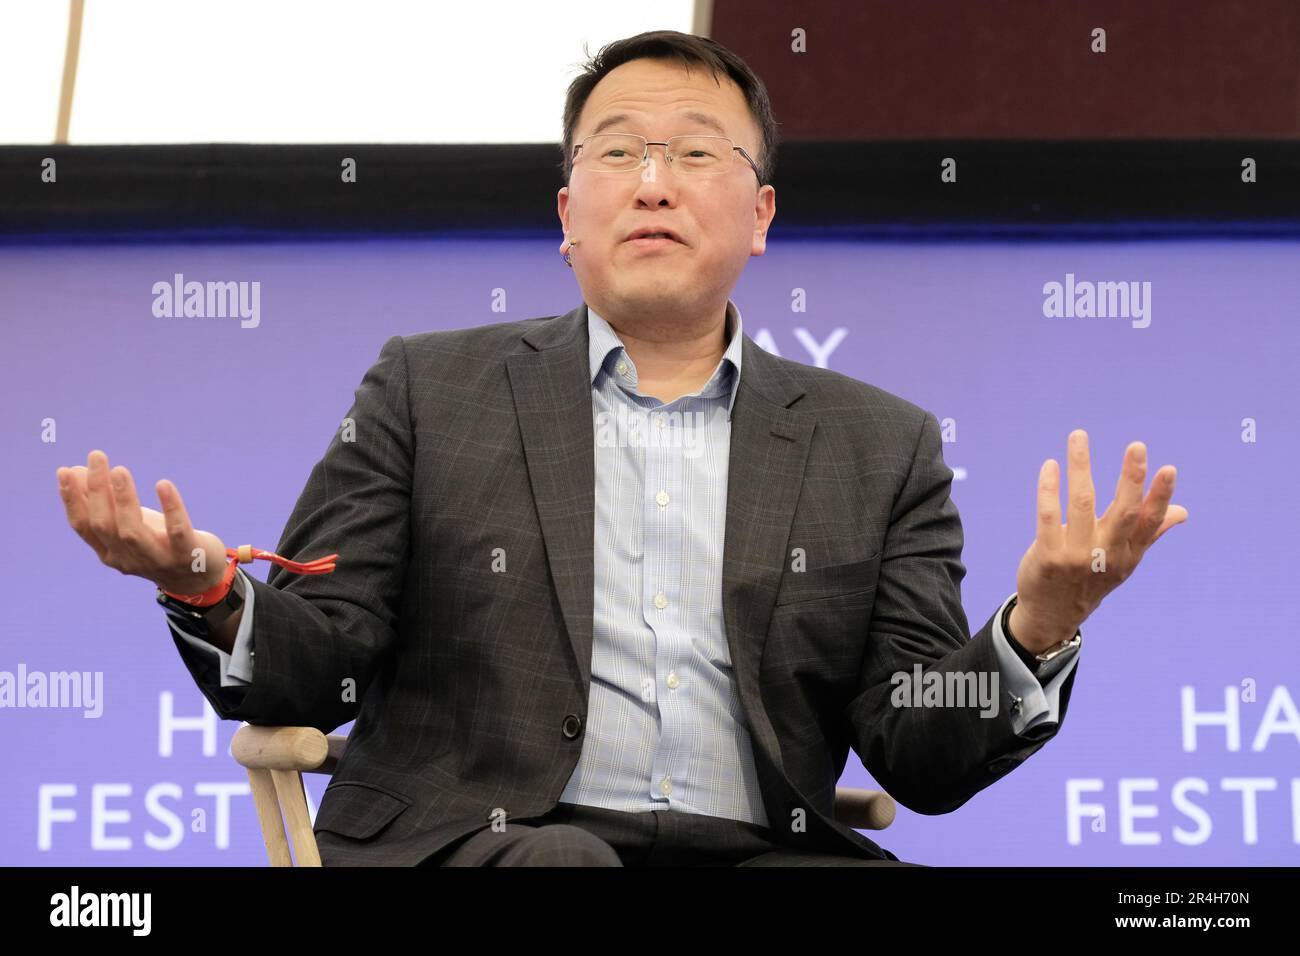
(652, 637)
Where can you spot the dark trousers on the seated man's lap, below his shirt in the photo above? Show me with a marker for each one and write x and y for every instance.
(579, 836)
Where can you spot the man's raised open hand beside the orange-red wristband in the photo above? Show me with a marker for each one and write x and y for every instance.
(157, 546)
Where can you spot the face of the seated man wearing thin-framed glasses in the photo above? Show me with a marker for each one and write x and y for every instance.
(722, 219)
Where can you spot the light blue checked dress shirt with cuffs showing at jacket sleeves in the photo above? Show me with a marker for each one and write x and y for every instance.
(666, 729)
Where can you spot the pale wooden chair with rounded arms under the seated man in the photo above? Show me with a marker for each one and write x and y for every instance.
(278, 758)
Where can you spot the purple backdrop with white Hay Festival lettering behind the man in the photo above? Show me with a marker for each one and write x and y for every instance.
(236, 417)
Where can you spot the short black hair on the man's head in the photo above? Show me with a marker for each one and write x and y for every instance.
(687, 50)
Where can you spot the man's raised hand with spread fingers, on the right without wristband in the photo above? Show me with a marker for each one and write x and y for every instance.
(1072, 568)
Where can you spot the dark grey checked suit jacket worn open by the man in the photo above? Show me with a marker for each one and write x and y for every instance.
(471, 686)
